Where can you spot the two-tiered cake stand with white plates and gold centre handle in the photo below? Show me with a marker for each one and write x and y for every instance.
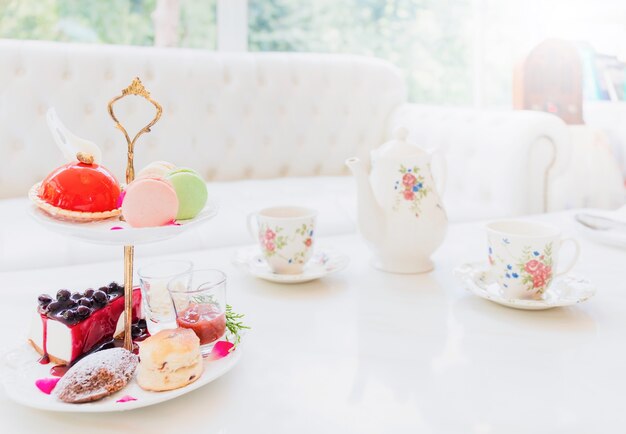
(19, 368)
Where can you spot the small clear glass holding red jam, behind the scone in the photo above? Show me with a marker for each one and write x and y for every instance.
(199, 299)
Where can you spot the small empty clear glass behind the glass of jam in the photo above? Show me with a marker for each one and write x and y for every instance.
(156, 300)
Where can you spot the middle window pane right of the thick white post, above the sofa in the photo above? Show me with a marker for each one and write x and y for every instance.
(429, 40)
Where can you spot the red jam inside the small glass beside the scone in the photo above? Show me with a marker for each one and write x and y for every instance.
(205, 320)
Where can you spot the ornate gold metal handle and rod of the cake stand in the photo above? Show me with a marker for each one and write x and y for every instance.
(136, 88)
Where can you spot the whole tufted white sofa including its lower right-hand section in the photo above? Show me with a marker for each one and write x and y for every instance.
(261, 128)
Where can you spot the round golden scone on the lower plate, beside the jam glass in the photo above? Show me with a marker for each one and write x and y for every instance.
(169, 360)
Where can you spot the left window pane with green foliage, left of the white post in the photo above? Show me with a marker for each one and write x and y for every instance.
(182, 23)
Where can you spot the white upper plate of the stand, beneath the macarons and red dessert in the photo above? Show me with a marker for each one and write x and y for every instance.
(102, 232)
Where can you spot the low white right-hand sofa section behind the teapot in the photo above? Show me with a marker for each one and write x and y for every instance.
(498, 162)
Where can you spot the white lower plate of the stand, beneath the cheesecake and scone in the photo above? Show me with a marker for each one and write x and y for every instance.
(20, 369)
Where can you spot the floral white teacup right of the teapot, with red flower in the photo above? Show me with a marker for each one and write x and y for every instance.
(524, 256)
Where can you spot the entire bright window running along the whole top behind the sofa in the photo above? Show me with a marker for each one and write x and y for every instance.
(459, 52)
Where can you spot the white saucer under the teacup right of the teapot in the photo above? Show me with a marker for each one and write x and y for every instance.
(564, 291)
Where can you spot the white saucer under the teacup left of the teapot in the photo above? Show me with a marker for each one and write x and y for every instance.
(323, 263)
